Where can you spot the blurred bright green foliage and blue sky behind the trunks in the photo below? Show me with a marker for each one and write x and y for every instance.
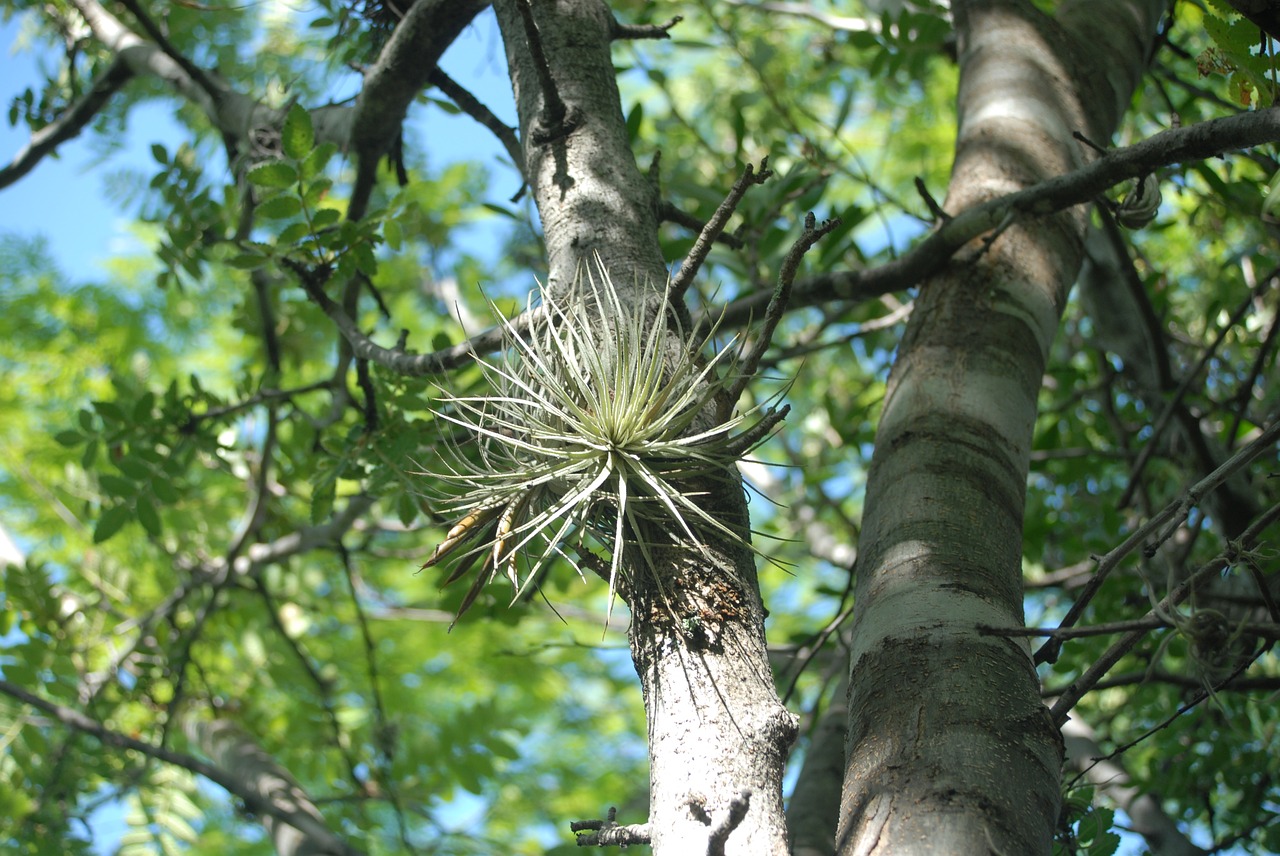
(150, 441)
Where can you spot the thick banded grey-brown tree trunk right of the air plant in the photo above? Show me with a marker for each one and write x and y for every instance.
(950, 749)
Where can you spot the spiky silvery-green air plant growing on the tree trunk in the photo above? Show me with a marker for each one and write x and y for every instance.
(593, 433)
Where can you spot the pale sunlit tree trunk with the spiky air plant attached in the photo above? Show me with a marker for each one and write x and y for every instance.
(719, 735)
